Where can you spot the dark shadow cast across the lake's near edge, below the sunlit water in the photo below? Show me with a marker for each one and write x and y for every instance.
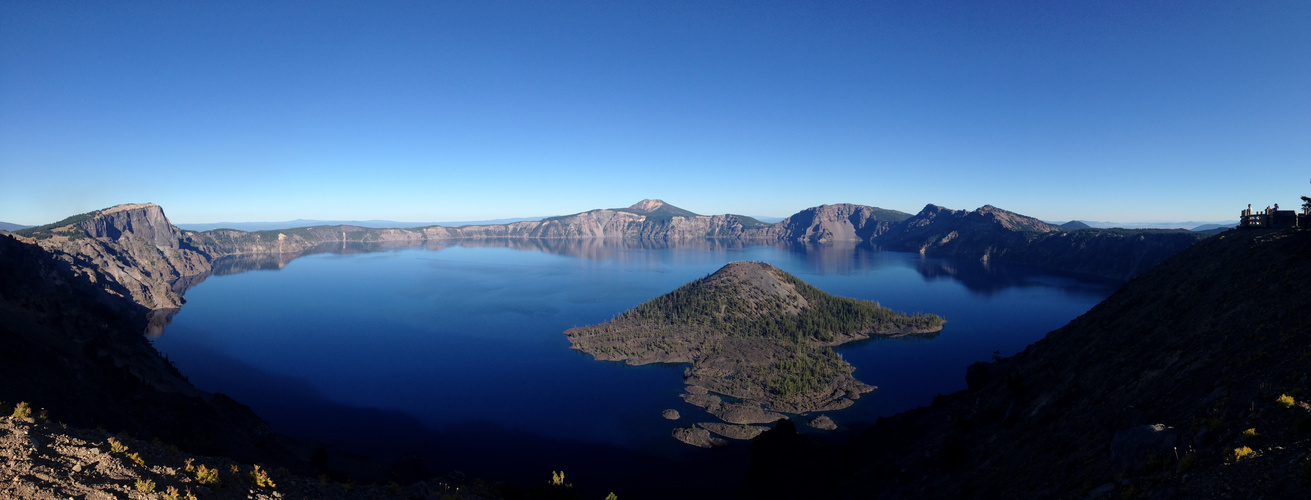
(479, 449)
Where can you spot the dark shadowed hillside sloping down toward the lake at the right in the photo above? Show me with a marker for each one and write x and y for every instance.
(1188, 383)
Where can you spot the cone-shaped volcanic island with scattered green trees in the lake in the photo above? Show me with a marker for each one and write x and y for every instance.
(754, 335)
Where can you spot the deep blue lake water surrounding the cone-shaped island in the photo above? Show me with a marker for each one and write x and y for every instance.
(457, 355)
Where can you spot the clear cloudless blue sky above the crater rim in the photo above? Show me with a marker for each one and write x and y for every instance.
(456, 111)
